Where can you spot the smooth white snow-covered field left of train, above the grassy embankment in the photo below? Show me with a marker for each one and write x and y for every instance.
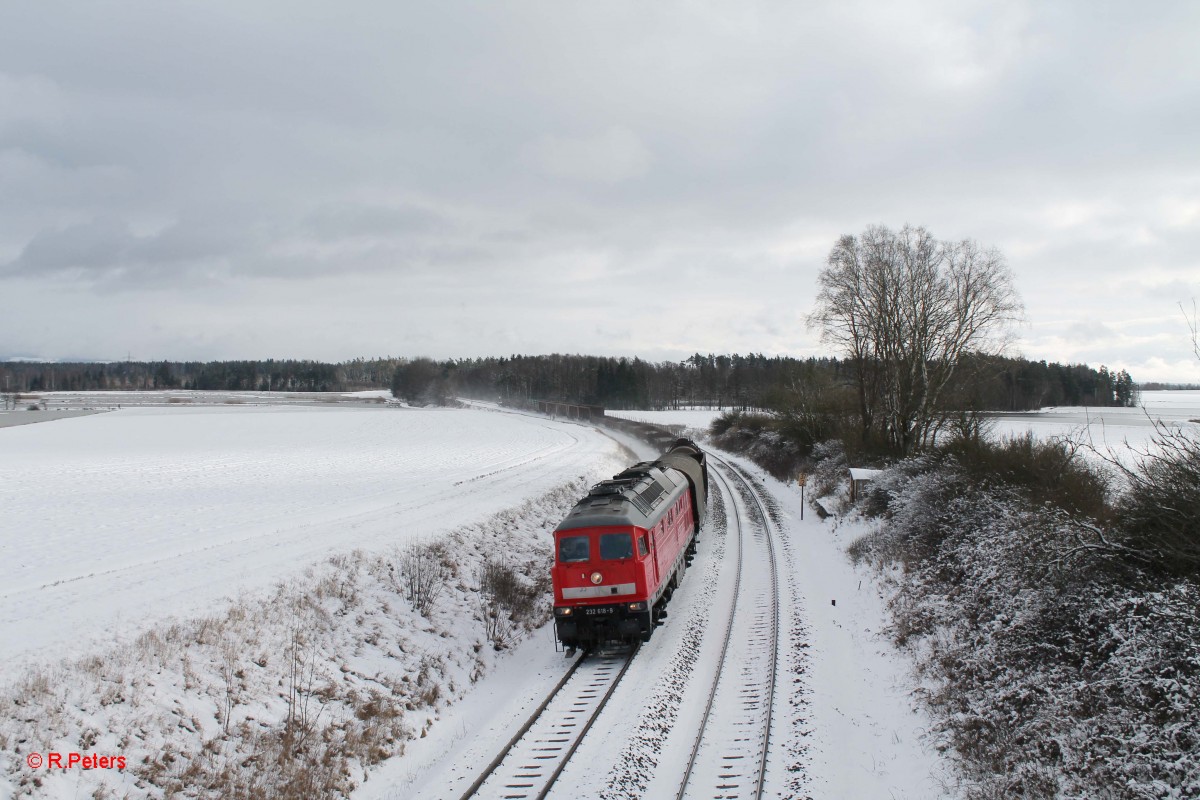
(116, 520)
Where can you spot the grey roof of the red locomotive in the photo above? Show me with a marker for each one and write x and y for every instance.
(637, 497)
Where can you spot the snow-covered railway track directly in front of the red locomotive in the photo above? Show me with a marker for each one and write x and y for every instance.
(539, 753)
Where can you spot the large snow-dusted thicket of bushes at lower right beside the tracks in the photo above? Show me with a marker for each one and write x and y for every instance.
(1059, 663)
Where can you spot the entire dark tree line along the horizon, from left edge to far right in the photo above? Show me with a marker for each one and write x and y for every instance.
(739, 382)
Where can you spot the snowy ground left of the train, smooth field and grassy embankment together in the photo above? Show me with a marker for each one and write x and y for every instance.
(280, 509)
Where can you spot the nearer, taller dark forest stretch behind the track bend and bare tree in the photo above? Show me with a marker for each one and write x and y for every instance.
(742, 382)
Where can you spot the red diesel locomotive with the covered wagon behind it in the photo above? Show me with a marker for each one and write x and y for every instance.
(623, 550)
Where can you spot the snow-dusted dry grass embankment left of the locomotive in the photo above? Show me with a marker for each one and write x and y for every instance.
(290, 696)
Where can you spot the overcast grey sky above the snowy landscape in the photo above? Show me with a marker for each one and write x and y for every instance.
(227, 181)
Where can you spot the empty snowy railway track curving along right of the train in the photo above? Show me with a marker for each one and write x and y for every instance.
(729, 756)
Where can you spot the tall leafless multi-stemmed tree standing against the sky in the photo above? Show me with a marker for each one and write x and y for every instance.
(907, 309)
